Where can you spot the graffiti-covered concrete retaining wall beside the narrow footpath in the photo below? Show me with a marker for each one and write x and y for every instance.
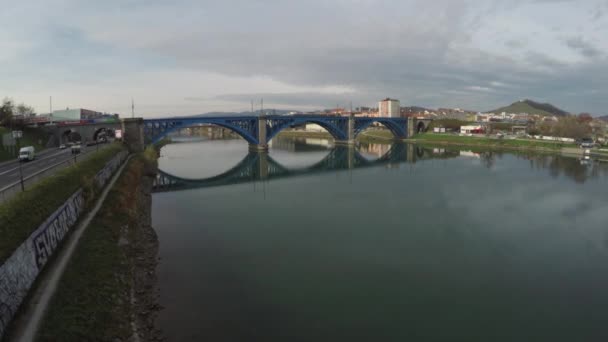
(19, 272)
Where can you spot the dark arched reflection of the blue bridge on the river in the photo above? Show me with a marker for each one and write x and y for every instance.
(260, 166)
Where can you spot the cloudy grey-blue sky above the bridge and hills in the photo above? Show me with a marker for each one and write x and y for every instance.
(194, 56)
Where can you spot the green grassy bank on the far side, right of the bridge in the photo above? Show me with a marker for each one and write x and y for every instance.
(448, 139)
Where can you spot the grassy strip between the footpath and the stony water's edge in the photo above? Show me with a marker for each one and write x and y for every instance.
(93, 300)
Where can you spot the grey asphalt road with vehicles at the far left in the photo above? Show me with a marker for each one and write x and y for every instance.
(9, 171)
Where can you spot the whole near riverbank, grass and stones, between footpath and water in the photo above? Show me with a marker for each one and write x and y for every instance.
(108, 290)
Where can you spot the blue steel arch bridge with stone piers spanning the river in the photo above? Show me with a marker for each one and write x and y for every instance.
(259, 130)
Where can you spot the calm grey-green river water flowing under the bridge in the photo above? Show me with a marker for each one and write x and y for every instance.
(428, 245)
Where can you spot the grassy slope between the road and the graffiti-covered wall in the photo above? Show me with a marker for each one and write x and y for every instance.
(23, 213)
